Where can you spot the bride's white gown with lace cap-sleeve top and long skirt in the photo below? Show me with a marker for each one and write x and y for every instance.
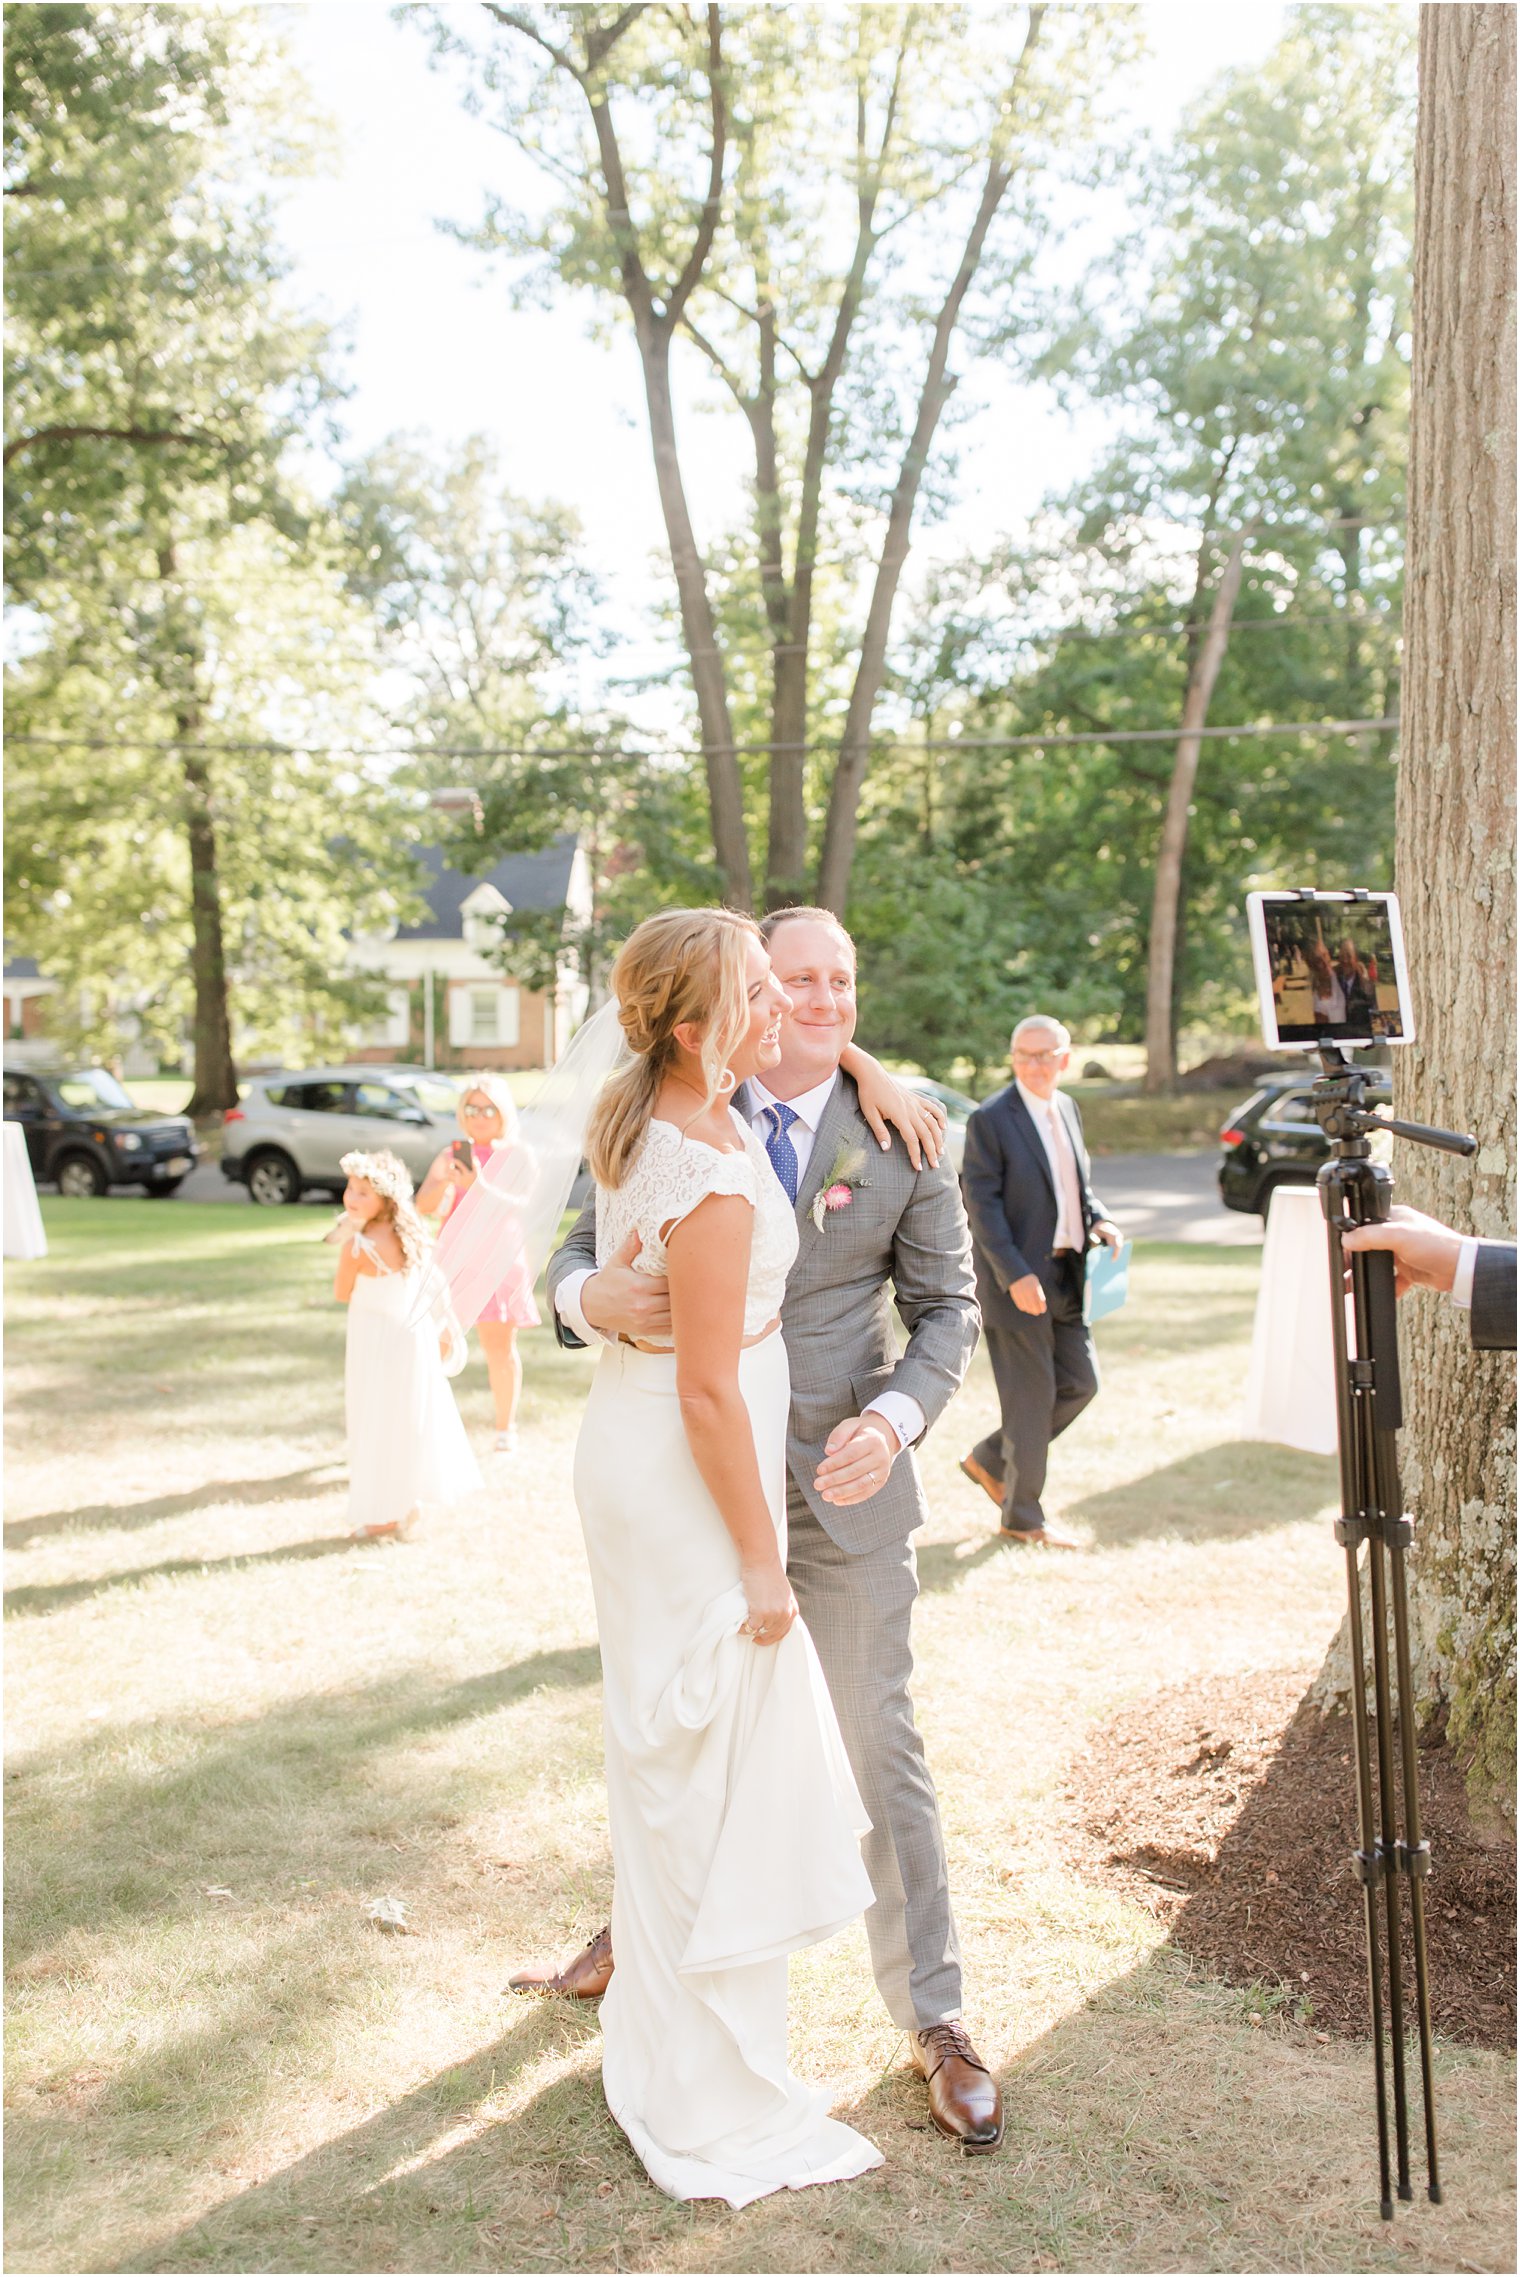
(736, 1820)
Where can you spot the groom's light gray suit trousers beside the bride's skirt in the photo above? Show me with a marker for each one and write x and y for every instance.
(859, 1611)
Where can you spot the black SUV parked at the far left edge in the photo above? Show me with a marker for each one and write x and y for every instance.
(88, 1135)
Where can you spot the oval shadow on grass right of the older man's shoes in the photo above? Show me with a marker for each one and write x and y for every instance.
(1216, 1495)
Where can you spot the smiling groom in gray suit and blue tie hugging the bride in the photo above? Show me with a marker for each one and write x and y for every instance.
(873, 1231)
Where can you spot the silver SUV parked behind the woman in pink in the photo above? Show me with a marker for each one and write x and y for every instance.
(290, 1133)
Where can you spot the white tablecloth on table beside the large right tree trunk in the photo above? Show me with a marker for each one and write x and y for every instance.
(1291, 1381)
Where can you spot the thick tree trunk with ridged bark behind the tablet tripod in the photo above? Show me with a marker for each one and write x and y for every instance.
(1457, 880)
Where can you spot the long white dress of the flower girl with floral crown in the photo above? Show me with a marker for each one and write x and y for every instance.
(406, 1440)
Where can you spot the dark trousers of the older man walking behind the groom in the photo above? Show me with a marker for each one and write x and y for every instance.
(1046, 1372)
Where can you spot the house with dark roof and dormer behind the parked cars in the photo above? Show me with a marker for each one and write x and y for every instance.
(449, 1001)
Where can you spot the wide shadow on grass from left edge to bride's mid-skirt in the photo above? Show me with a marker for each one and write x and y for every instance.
(135, 1820)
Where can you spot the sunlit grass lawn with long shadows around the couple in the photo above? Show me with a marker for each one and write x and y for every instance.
(231, 1729)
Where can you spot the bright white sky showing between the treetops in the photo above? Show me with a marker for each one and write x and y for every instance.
(440, 352)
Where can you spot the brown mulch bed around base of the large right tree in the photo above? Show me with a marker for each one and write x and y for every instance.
(1230, 1811)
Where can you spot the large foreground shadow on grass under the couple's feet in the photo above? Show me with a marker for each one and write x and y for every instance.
(433, 2183)
